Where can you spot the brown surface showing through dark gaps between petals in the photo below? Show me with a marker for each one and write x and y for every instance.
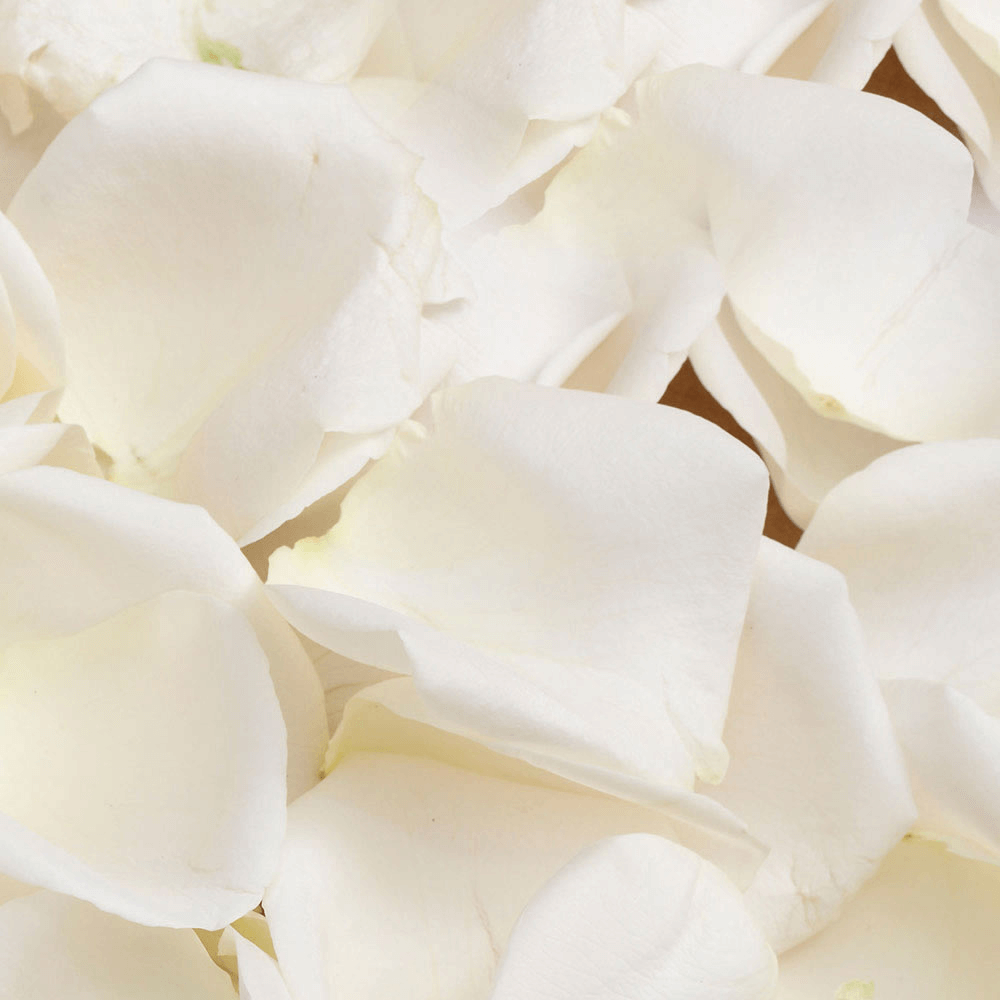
(687, 393)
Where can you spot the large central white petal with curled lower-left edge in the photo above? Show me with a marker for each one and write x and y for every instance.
(563, 573)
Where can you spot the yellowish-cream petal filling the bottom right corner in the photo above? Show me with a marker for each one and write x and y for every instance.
(923, 929)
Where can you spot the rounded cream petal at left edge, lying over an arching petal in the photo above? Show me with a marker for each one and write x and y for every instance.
(144, 763)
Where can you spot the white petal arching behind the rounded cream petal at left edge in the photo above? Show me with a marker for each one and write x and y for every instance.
(75, 550)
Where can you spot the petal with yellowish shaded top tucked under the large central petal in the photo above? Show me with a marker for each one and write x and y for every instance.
(404, 875)
